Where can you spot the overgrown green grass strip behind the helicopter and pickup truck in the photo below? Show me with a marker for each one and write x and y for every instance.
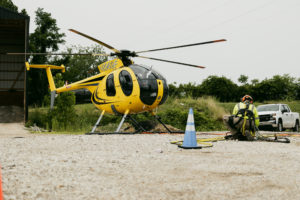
(208, 114)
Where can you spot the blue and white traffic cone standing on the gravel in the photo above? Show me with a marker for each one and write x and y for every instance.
(190, 140)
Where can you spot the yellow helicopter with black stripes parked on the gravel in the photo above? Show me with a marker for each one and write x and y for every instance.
(121, 87)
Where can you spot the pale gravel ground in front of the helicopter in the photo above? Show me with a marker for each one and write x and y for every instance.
(36, 166)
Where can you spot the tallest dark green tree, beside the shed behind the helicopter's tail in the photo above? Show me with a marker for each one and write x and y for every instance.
(46, 38)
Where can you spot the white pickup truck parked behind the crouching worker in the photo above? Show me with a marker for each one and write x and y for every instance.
(278, 117)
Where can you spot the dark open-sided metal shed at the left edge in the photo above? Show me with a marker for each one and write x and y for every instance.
(14, 31)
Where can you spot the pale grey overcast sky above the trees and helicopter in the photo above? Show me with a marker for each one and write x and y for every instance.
(263, 36)
